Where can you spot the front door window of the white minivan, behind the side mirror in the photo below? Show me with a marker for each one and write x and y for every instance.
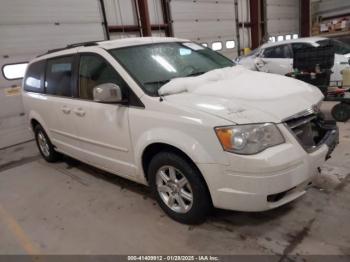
(94, 71)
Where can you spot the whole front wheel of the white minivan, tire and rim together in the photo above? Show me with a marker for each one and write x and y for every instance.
(179, 188)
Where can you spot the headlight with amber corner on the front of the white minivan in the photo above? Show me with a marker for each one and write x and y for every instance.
(249, 139)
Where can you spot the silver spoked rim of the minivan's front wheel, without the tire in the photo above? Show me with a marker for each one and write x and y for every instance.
(174, 189)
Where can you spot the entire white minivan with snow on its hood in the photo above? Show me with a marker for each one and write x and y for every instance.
(181, 118)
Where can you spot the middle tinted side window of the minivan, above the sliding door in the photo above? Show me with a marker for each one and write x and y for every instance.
(59, 73)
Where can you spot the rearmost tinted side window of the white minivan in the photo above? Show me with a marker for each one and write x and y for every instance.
(34, 77)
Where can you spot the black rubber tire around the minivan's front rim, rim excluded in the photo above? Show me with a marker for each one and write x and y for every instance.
(202, 204)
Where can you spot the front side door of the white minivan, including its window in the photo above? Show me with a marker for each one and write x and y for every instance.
(103, 128)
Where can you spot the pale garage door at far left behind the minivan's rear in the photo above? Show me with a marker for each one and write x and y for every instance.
(28, 28)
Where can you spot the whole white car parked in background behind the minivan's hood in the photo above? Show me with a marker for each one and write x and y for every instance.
(277, 57)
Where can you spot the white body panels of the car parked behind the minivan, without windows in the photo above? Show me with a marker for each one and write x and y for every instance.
(282, 66)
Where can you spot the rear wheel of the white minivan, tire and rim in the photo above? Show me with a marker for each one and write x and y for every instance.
(45, 146)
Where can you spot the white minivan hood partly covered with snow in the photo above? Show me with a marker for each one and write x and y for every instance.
(242, 96)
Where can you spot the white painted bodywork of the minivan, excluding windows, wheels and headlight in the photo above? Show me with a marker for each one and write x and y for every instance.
(114, 137)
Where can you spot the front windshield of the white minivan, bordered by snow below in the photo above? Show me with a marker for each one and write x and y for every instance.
(156, 64)
